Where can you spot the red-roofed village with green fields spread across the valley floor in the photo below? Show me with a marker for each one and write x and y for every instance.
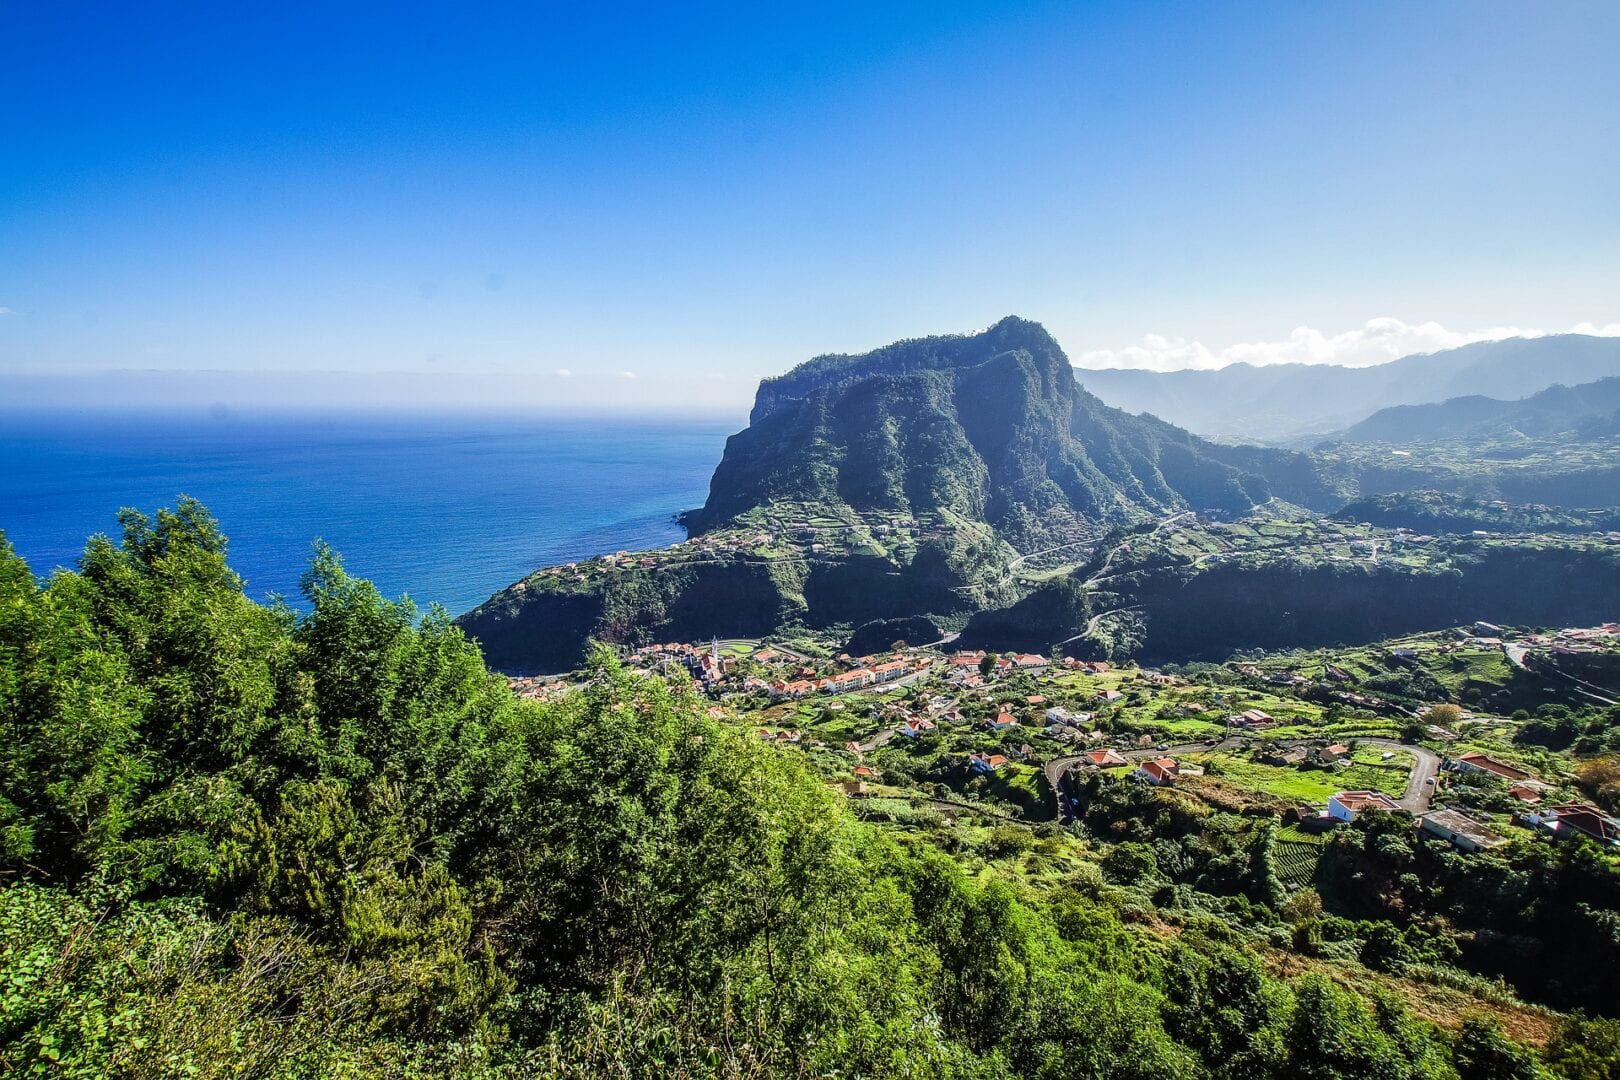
(1316, 741)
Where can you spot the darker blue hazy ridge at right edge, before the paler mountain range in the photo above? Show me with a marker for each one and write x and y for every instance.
(1584, 412)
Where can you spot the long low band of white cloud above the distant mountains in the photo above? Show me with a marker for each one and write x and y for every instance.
(1378, 342)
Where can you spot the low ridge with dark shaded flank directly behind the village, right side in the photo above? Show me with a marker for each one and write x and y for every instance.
(1211, 590)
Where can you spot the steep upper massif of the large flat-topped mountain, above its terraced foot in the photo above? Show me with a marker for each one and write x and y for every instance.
(992, 428)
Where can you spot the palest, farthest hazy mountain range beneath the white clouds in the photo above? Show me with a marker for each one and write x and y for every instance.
(1298, 404)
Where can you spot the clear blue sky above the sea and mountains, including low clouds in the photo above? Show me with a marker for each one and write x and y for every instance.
(670, 203)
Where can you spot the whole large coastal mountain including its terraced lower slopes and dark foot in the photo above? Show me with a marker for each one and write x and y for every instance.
(913, 480)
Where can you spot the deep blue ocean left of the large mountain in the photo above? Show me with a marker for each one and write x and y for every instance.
(448, 509)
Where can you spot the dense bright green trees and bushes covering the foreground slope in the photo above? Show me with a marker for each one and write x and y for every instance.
(249, 841)
